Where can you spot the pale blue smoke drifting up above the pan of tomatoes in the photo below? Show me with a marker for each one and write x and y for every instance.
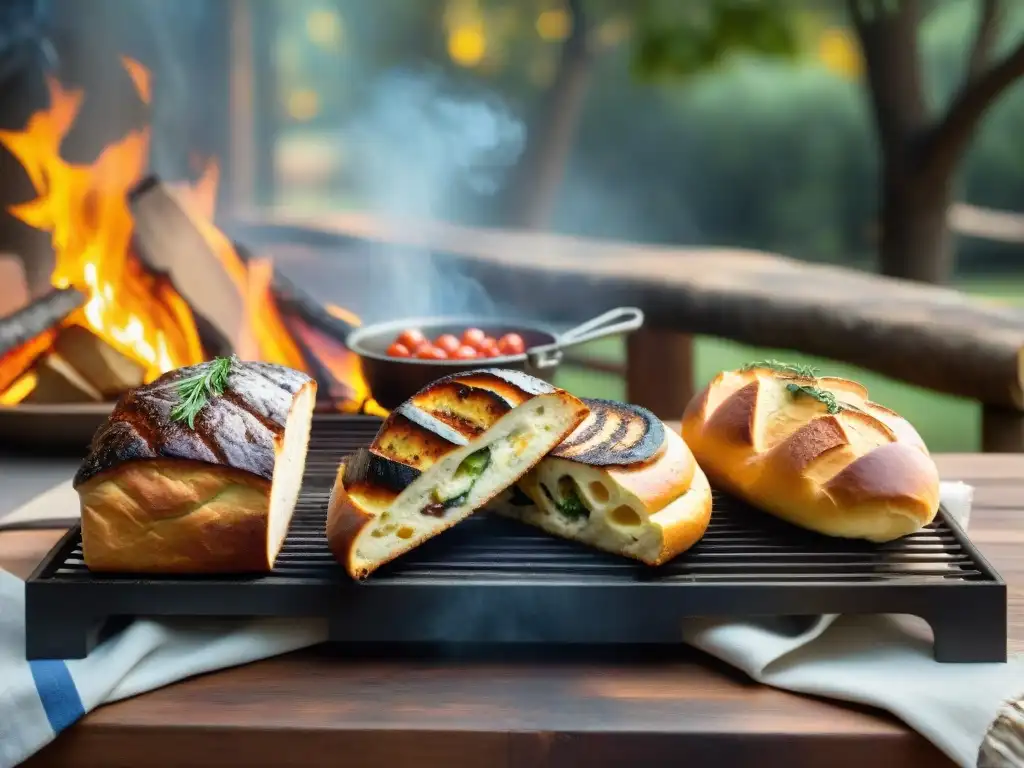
(419, 149)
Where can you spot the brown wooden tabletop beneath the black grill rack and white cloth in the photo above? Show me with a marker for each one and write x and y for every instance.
(319, 708)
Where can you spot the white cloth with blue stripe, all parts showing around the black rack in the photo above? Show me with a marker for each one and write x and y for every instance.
(875, 661)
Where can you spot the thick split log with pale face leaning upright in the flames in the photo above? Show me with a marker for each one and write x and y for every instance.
(172, 241)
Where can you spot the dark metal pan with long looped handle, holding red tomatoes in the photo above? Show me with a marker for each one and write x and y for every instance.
(395, 380)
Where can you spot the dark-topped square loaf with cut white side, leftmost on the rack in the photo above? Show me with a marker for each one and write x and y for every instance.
(159, 495)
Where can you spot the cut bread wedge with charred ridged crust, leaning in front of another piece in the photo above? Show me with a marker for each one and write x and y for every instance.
(439, 457)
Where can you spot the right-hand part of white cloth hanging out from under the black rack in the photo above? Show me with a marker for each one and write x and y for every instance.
(879, 661)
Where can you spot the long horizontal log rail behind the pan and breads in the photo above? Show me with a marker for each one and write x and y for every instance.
(934, 337)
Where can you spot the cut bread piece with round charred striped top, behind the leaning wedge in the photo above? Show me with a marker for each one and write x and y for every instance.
(621, 483)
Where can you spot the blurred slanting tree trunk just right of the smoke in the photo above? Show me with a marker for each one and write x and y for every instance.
(533, 192)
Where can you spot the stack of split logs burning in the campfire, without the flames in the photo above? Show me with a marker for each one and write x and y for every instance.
(50, 356)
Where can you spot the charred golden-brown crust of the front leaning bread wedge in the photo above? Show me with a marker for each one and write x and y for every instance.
(445, 416)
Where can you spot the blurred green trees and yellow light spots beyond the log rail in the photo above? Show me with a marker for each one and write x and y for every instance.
(835, 132)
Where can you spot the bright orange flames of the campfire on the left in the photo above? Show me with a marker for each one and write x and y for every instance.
(86, 209)
